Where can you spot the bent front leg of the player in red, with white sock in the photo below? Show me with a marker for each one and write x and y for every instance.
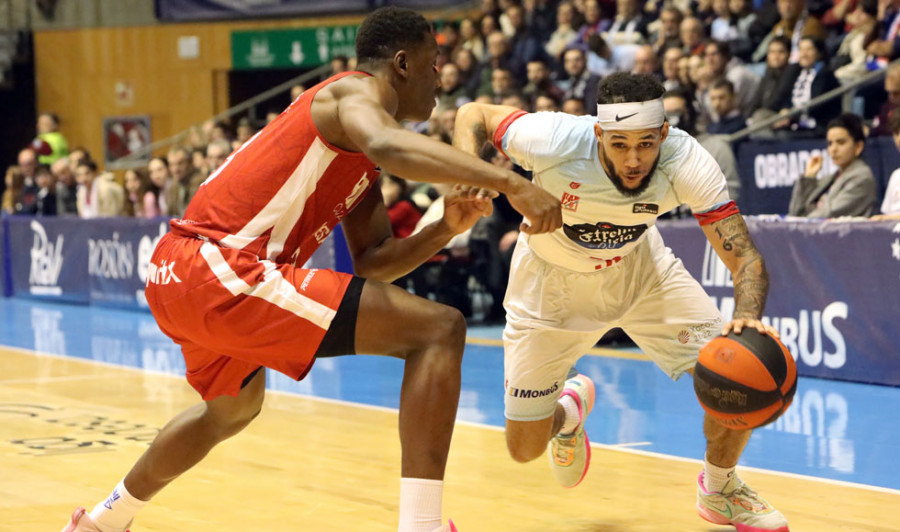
(430, 338)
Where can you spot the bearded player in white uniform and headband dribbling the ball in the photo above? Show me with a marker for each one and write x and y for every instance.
(608, 267)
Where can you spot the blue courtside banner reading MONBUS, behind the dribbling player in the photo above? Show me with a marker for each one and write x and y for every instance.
(834, 291)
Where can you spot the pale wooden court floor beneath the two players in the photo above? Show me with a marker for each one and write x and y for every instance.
(70, 429)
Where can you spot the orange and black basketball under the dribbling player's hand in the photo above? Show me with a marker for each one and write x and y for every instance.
(745, 380)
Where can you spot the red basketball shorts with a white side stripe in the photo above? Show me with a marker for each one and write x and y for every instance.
(232, 312)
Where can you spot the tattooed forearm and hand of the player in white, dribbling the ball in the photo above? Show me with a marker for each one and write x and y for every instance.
(731, 240)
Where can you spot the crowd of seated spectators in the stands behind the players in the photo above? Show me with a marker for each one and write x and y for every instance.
(726, 65)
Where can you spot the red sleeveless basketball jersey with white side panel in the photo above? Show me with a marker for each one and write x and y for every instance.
(280, 194)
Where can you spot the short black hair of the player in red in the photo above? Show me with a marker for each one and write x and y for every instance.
(387, 30)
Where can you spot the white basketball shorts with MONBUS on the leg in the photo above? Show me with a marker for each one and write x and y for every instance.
(555, 315)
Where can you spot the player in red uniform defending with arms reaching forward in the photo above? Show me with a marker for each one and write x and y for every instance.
(227, 282)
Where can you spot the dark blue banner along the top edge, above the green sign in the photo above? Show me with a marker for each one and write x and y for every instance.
(184, 10)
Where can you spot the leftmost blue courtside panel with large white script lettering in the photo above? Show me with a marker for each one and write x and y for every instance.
(48, 258)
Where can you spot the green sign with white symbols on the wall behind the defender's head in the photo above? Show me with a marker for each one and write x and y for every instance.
(291, 48)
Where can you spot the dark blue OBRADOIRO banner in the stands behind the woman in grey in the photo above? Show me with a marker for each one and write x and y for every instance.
(768, 169)
